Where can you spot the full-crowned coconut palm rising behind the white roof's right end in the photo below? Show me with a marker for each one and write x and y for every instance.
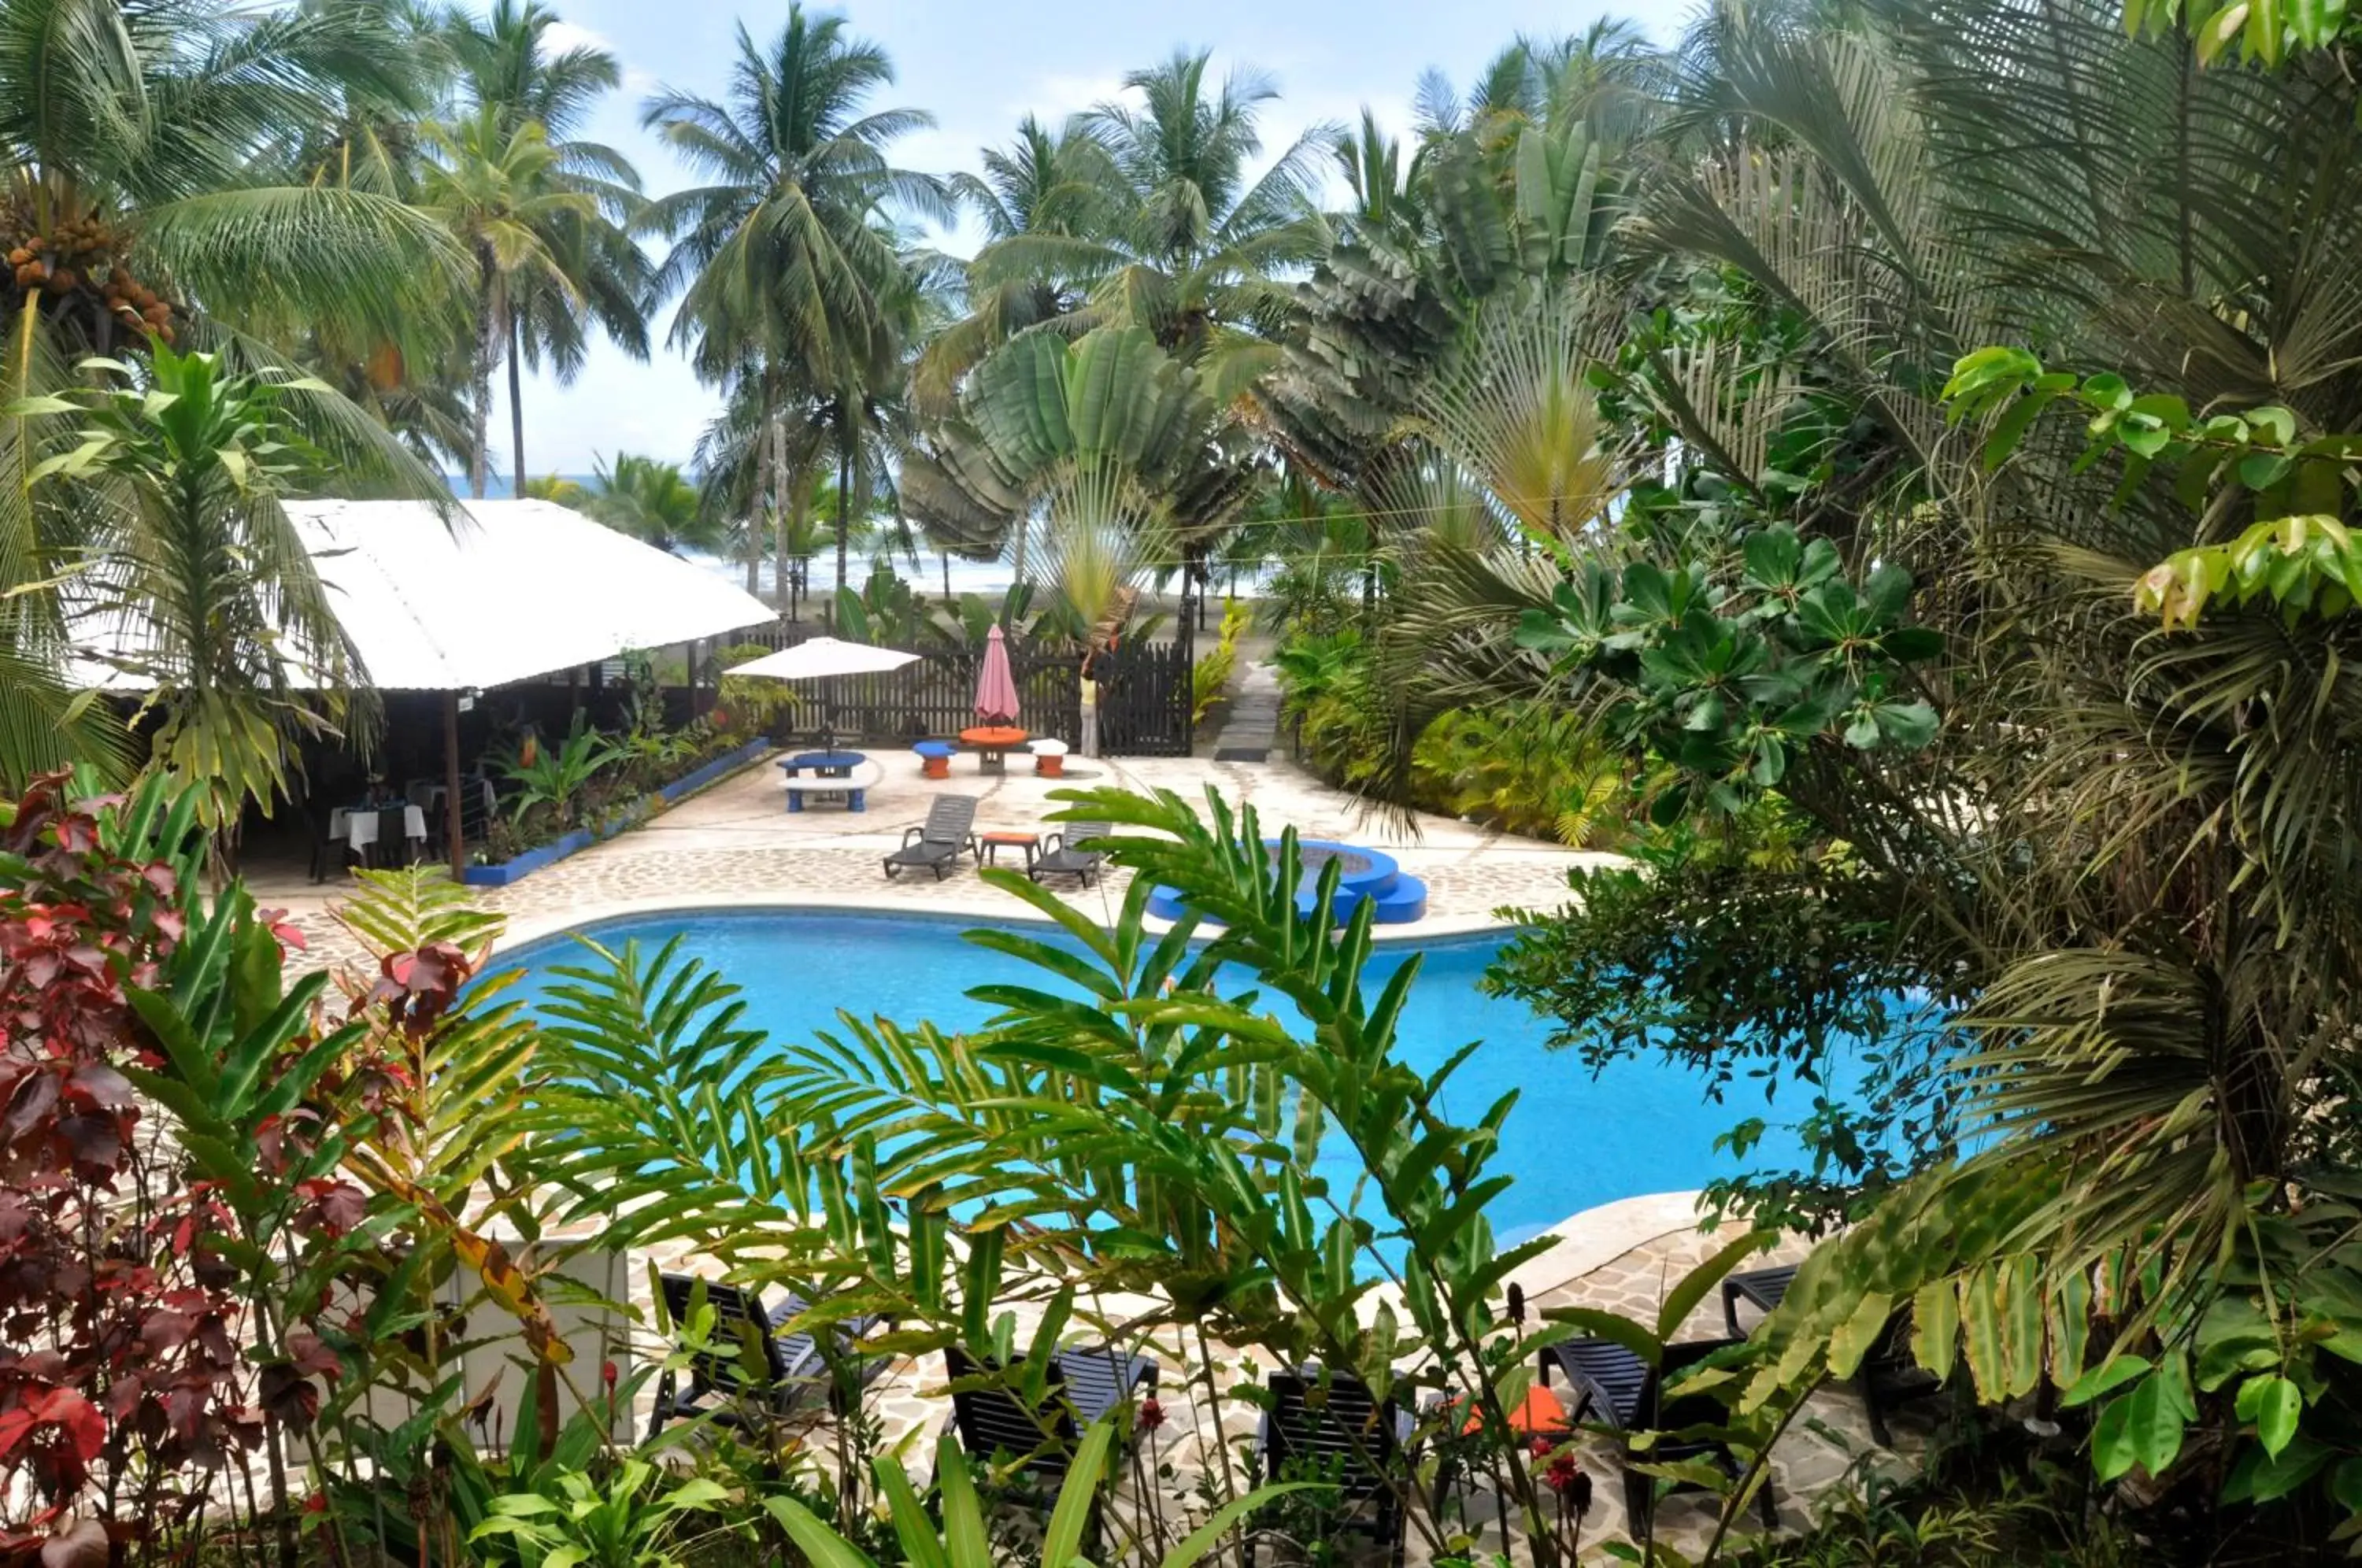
(785, 268)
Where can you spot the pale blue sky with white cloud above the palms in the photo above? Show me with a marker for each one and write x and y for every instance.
(979, 67)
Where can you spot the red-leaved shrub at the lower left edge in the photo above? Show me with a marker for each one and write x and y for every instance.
(133, 1371)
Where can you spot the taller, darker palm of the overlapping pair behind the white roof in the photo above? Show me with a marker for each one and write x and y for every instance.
(509, 70)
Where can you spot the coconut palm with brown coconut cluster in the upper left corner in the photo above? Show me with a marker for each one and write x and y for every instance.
(150, 188)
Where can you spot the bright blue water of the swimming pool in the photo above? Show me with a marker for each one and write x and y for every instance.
(1572, 1139)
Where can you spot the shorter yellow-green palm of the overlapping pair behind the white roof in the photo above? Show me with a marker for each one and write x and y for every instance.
(502, 192)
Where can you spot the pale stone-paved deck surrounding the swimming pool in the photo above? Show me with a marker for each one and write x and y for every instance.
(738, 847)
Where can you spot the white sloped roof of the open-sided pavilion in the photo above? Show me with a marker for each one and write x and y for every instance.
(509, 592)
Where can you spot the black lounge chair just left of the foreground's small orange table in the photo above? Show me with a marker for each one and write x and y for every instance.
(1336, 1430)
